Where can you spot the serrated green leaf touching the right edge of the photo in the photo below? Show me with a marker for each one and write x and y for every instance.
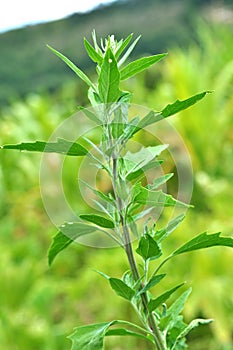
(204, 240)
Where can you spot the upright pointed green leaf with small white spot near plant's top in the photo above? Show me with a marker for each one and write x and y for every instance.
(109, 79)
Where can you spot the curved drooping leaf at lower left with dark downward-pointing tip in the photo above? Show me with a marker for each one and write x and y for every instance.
(66, 235)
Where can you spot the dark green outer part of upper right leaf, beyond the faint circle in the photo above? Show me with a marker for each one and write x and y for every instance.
(178, 105)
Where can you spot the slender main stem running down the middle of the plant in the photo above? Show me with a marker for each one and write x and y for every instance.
(132, 262)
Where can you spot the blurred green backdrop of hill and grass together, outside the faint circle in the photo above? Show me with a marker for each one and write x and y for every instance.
(39, 306)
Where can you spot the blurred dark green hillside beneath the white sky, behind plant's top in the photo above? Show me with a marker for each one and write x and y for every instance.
(26, 65)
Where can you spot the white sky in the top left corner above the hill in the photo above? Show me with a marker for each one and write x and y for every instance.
(18, 13)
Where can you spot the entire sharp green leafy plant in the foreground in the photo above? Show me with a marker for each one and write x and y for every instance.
(130, 199)
